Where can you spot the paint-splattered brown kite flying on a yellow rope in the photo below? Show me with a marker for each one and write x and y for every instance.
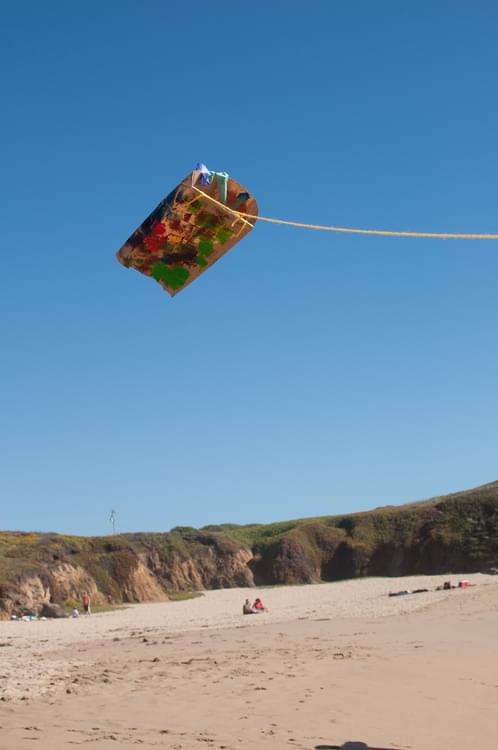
(197, 223)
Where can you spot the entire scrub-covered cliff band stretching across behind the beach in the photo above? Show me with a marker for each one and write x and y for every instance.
(457, 533)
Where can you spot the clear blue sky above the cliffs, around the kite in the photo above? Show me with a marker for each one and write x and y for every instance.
(306, 373)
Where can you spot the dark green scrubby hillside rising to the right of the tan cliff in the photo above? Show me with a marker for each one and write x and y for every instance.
(455, 532)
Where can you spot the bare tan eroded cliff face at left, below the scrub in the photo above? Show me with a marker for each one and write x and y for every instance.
(120, 570)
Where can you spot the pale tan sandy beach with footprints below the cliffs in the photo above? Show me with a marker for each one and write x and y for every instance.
(329, 664)
